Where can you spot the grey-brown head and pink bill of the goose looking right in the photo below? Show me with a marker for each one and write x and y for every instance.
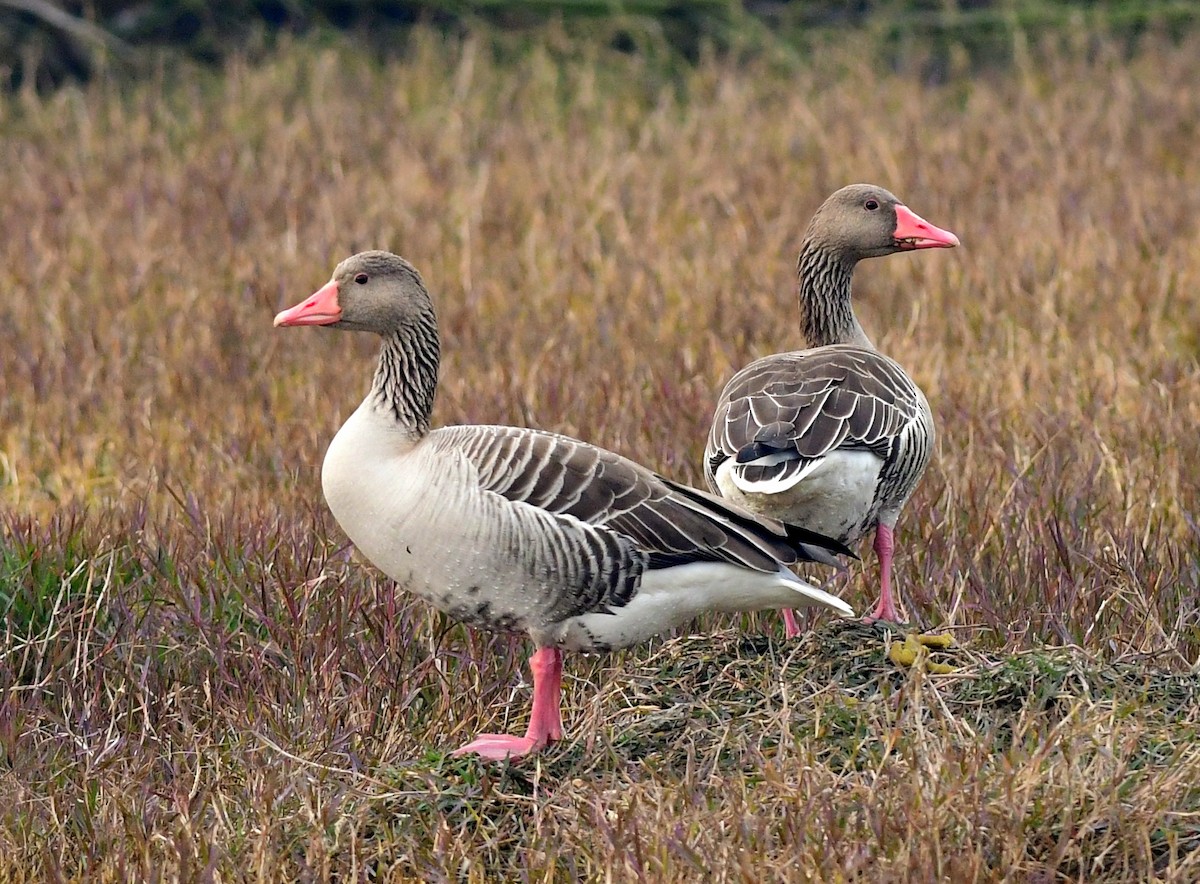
(867, 221)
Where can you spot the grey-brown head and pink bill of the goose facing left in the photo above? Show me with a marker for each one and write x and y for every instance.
(376, 292)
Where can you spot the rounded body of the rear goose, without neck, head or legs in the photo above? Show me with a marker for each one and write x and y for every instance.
(842, 408)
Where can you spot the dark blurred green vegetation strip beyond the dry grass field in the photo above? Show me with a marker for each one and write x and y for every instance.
(45, 43)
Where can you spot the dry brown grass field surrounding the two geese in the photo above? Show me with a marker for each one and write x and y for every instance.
(201, 683)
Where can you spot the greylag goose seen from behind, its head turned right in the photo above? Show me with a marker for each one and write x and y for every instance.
(835, 437)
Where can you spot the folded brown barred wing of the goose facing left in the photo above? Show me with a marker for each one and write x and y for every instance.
(604, 520)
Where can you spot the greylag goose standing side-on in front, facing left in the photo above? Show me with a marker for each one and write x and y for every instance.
(521, 531)
